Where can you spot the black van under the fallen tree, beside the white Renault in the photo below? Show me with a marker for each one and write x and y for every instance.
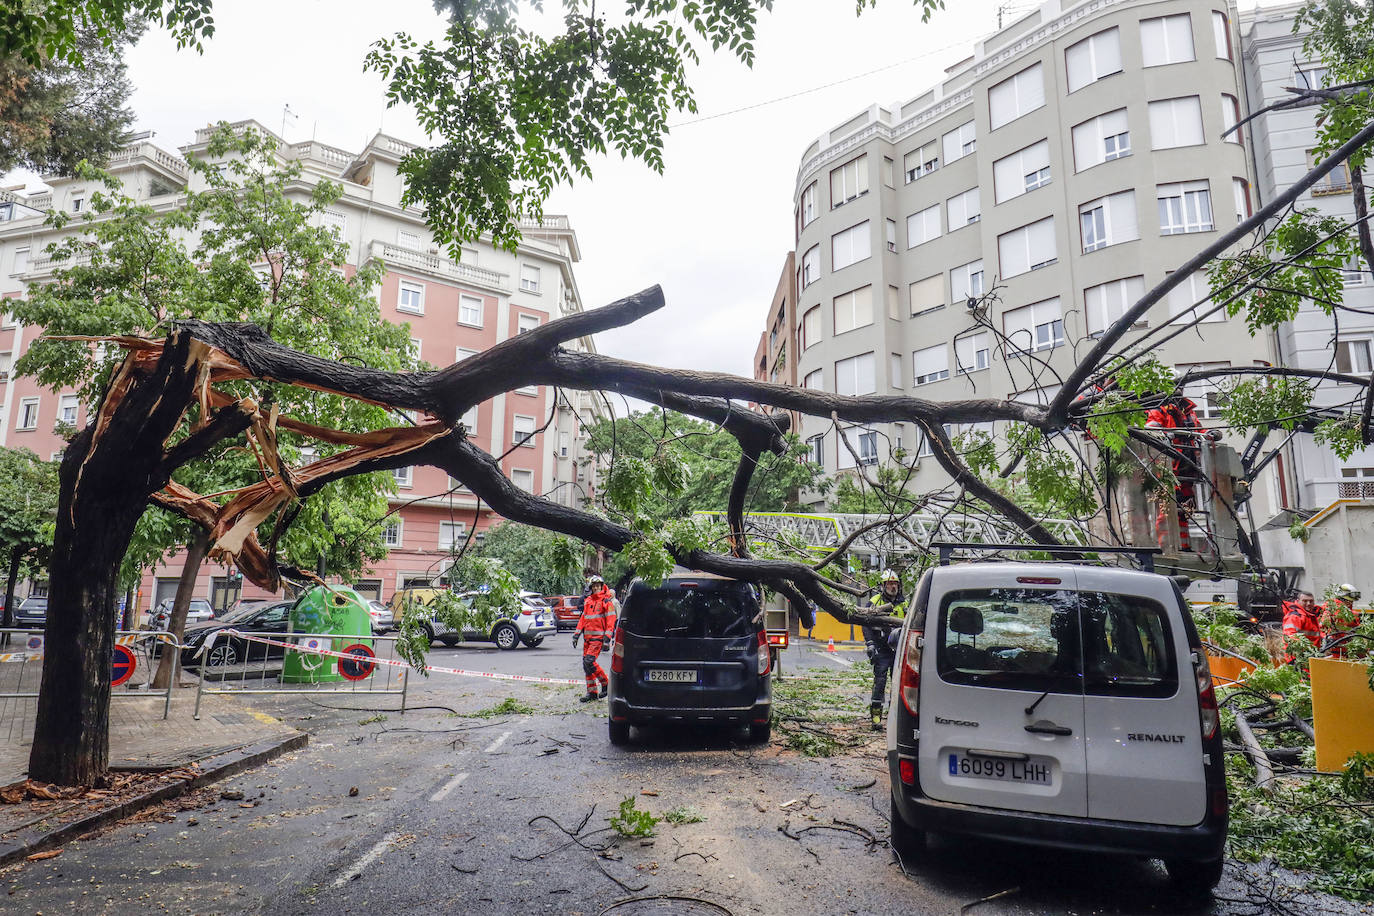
(692, 649)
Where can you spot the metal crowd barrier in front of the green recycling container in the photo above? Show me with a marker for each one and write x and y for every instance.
(240, 665)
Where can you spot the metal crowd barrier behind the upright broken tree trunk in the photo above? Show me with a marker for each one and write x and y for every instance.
(135, 653)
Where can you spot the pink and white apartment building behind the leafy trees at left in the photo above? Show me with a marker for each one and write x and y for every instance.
(454, 308)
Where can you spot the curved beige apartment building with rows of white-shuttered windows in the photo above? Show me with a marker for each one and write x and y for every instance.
(1067, 167)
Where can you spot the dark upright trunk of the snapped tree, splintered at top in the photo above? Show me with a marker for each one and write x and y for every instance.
(105, 484)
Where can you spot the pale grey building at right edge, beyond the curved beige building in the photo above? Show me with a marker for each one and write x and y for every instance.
(1314, 477)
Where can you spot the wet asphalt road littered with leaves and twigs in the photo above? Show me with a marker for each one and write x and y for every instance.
(509, 815)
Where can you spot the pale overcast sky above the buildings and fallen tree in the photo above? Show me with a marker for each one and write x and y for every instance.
(714, 230)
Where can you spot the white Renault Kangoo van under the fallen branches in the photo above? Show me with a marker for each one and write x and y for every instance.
(1059, 705)
